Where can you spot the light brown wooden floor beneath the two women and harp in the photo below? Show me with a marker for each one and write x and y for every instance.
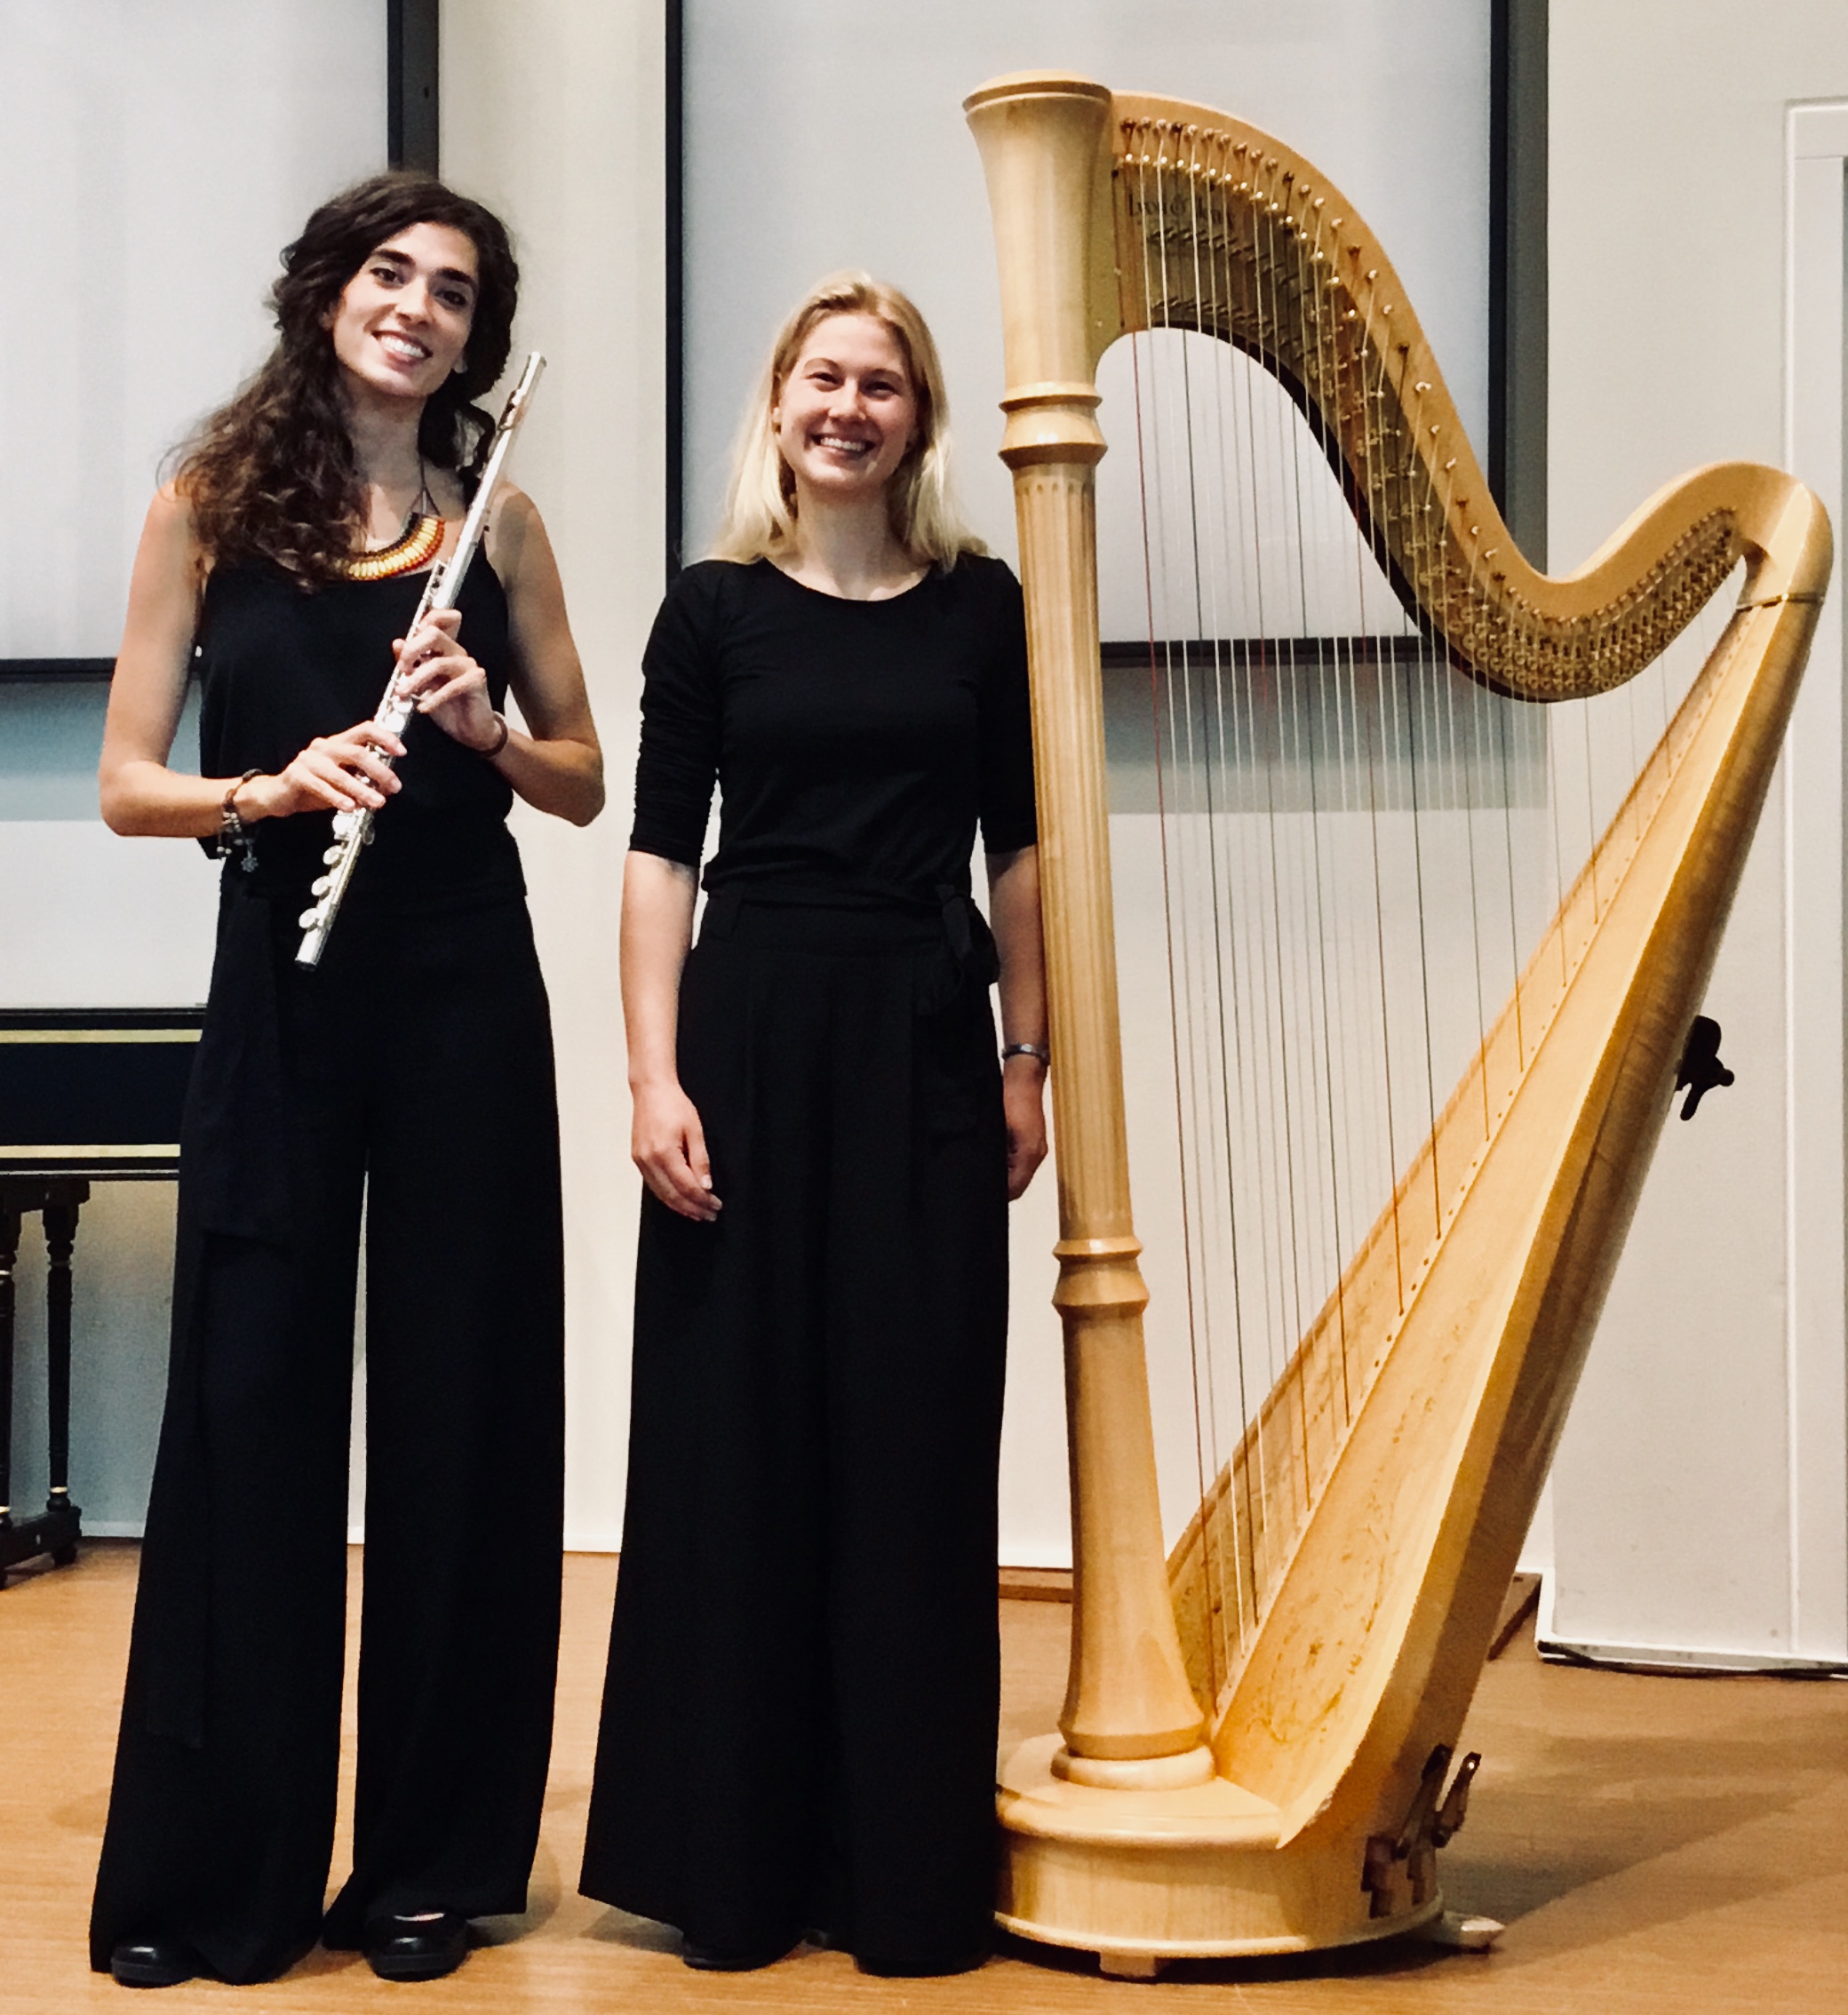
(1654, 1845)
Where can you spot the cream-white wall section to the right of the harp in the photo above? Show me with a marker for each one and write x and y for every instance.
(1684, 1520)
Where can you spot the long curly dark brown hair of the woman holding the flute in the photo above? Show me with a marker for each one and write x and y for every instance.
(271, 477)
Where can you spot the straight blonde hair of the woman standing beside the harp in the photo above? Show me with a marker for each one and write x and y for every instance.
(761, 505)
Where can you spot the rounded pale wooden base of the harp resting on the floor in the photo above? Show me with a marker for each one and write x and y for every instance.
(1198, 1873)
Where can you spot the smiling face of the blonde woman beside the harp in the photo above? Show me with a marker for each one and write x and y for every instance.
(847, 410)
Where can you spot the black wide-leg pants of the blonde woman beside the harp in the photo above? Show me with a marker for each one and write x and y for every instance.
(799, 1726)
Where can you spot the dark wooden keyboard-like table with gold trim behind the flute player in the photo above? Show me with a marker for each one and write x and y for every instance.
(88, 1095)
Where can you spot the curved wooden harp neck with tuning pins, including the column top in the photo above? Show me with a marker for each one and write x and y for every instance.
(1119, 215)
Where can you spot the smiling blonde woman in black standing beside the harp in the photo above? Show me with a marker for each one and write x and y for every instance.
(799, 1726)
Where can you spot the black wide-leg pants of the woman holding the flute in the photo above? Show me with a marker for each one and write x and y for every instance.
(410, 1079)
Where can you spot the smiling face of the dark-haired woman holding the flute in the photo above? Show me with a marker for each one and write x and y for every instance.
(402, 321)
